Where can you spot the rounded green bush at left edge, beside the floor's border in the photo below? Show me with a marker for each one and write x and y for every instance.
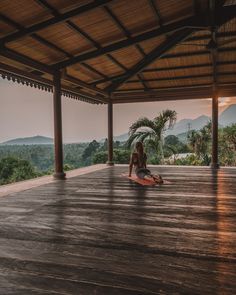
(13, 169)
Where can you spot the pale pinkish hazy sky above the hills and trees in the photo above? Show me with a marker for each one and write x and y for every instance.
(26, 111)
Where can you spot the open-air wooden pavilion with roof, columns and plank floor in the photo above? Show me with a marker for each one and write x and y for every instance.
(98, 233)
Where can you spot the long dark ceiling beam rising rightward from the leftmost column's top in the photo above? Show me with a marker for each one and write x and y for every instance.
(175, 26)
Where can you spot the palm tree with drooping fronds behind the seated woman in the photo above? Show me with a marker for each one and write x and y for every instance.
(151, 131)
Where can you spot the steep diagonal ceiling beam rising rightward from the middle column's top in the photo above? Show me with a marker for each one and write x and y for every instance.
(158, 52)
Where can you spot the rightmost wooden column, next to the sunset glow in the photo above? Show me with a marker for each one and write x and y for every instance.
(214, 160)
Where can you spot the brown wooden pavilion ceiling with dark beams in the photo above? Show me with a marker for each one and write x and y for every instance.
(127, 51)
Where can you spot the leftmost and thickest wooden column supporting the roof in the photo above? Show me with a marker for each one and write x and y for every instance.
(58, 147)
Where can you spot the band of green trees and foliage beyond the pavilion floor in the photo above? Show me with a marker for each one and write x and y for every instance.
(29, 161)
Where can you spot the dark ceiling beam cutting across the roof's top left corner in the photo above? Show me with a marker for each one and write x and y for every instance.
(55, 20)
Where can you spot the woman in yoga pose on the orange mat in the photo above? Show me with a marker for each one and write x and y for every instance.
(138, 159)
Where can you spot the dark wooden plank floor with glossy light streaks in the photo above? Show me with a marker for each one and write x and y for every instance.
(102, 234)
